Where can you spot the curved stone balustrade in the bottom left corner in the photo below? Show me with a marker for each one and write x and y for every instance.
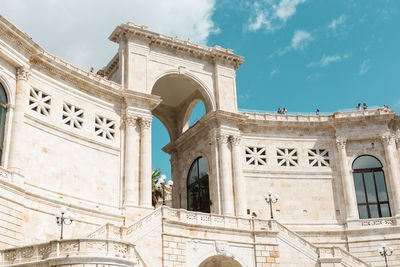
(95, 249)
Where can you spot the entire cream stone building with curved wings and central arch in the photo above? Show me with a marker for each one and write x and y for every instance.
(83, 140)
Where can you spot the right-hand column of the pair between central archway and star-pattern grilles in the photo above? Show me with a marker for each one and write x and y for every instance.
(239, 183)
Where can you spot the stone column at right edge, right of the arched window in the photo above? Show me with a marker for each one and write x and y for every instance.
(393, 168)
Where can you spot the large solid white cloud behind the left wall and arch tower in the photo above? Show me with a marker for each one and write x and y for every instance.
(77, 30)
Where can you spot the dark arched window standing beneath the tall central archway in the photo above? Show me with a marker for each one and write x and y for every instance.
(198, 195)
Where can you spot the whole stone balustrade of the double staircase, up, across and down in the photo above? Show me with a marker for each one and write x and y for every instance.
(324, 256)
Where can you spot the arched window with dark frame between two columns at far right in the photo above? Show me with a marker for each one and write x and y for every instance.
(371, 192)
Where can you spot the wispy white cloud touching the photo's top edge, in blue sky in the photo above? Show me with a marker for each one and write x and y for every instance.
(272, 14)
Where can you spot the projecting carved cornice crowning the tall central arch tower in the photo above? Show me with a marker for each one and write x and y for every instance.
(172, 43)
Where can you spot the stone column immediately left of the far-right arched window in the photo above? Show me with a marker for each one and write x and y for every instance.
(350, 200)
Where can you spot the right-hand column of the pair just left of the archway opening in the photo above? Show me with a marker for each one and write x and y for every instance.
(145, 162)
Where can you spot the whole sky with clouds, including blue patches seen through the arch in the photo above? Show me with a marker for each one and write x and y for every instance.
(301, 54)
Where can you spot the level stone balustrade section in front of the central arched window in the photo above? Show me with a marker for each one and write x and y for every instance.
(206, 219)
